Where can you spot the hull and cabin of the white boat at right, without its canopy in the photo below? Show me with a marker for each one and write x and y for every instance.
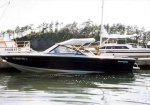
(126, 50)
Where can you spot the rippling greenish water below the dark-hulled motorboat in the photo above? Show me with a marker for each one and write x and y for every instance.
(99, 89)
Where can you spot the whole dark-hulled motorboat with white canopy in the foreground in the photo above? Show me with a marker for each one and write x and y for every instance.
(66, 57)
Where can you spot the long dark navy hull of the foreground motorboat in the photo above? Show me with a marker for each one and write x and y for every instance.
(72, 65)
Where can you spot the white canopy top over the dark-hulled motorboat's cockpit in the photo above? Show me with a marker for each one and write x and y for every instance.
(80, 41)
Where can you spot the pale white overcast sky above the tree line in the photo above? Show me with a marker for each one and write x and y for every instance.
(26, 12)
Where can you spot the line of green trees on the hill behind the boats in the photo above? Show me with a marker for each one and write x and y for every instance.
(58, 32)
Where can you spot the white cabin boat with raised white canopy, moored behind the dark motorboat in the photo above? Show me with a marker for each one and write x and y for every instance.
(117, 44)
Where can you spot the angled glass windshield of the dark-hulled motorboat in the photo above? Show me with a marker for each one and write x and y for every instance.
(65, 50)
